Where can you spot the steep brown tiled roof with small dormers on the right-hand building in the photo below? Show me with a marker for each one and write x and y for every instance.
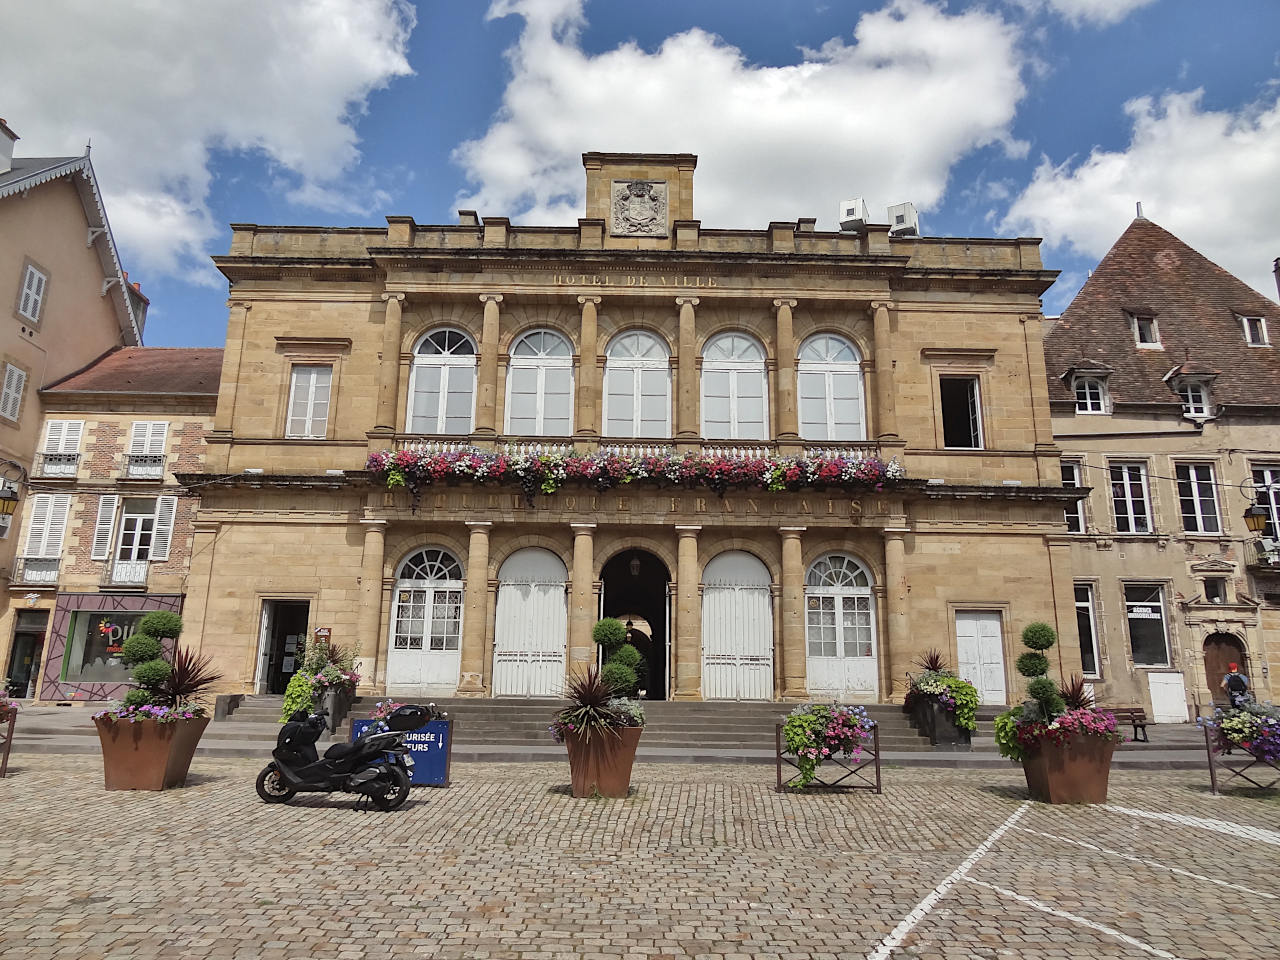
(1197, 307)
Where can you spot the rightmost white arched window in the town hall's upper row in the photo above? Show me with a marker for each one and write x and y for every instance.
(830, 390)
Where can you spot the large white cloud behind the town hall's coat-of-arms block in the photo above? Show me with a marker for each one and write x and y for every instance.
(885, 117)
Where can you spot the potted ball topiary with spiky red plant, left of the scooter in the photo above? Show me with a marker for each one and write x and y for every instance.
(150, 739)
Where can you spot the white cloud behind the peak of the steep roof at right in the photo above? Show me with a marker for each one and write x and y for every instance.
(1209, 177)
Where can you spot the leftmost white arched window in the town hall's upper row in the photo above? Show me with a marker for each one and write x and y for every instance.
(444, 385)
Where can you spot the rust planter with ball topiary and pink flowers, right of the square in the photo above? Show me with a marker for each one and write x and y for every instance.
(1063, 743)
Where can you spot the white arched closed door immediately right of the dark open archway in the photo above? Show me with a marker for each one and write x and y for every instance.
(738, 629)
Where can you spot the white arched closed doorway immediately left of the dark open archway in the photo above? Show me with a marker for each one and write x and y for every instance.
(531, 625)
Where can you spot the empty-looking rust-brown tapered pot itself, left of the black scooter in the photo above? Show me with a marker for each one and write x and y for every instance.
(148, 755)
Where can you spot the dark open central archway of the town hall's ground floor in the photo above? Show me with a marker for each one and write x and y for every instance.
(636, 589)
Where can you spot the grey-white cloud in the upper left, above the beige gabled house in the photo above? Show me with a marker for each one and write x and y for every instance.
(159, 86)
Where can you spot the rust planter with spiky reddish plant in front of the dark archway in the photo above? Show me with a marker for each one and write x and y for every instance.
(601, 733)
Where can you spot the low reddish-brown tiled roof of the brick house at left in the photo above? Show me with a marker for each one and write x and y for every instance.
(150, 371)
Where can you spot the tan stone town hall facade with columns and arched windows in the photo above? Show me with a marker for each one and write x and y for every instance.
(330, 359)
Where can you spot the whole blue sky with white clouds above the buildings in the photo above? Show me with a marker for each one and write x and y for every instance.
(1003, 118)
